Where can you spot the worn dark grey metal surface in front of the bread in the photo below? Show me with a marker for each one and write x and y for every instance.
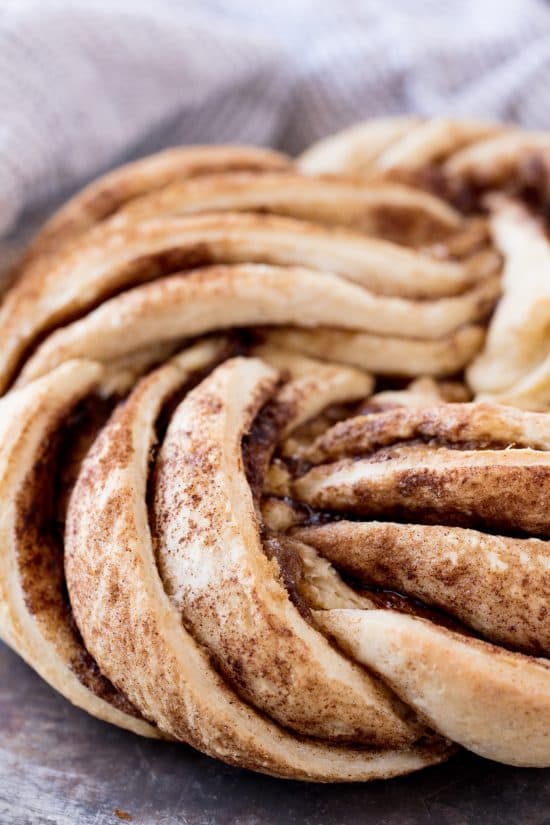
(61, 767)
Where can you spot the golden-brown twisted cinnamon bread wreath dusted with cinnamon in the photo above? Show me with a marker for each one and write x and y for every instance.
(275, 450)
